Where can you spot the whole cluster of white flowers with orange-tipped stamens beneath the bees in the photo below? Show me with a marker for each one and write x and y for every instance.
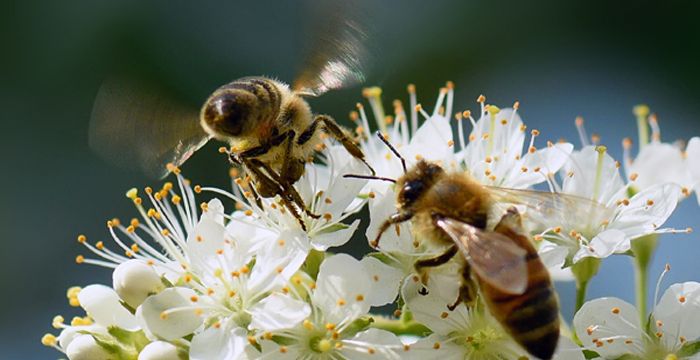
(239, 278)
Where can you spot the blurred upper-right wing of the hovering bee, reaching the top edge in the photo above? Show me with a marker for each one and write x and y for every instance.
(336, 52)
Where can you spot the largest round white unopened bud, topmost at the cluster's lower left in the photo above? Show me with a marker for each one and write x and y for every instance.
(134, 281)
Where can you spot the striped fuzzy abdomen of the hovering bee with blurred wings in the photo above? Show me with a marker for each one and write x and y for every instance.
(241, 107)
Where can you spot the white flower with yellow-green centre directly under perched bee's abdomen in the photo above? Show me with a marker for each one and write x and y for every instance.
(464, 333)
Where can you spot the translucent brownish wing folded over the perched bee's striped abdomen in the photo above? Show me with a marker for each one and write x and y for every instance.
(494, 257)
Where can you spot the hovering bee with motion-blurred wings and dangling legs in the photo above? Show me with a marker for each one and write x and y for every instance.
(268, 124)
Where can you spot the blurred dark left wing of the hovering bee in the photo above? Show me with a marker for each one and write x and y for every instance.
(134, 126)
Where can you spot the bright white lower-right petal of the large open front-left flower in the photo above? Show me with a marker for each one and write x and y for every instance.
(277, 312)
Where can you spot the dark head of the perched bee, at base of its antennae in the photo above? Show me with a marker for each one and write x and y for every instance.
(417, 181)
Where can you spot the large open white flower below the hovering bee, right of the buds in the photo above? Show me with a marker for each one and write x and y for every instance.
(226, 288)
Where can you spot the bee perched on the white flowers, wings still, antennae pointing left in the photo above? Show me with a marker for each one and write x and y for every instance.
(455, 210)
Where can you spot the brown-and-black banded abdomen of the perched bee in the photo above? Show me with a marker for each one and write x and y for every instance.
(532, 318)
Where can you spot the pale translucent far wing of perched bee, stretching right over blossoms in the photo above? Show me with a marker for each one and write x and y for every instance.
(545, 210)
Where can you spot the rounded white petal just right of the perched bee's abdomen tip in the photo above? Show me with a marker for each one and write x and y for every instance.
(605, 318)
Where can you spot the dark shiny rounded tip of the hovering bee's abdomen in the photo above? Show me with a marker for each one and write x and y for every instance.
(226, 113)
